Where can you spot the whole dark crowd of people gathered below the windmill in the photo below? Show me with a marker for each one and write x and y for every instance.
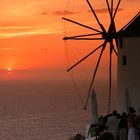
(115, 126)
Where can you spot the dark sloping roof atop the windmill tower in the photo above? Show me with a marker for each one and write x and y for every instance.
(132, 29)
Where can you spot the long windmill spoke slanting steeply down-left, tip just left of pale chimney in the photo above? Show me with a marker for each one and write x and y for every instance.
(94, 74)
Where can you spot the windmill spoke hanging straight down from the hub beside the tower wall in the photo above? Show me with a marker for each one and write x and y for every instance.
(110, 77)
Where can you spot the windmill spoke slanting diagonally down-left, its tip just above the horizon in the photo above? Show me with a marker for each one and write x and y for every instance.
(84, 58)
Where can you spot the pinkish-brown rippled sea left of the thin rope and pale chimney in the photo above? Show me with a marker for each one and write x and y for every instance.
(40, 110)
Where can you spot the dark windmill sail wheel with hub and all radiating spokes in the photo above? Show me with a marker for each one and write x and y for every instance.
(109, 36)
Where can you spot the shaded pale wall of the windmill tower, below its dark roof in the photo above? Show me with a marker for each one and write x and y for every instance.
(129, 74)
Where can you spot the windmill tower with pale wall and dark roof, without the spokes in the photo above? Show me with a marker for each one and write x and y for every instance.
(129, 66)
